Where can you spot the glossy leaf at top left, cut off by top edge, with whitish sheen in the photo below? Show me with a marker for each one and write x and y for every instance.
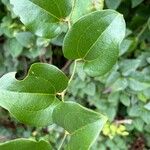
(44, 18)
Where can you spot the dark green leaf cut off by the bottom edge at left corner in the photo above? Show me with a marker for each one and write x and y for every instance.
(24, 144)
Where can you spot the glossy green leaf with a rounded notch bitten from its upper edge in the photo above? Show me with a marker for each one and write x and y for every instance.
(32, 100)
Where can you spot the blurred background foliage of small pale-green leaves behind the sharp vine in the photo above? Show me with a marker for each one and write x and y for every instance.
(123, 94)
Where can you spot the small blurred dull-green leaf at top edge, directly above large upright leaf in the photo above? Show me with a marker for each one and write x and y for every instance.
(113, 4)
